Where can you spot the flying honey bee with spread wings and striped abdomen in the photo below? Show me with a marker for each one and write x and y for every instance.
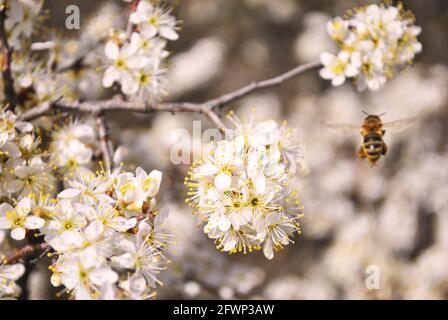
(372, 131)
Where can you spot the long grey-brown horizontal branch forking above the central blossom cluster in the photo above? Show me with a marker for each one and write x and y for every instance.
(207, 108)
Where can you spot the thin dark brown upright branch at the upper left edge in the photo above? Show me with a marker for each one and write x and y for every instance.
(6, 55)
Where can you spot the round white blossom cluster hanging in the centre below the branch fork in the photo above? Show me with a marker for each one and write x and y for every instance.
(240, 188)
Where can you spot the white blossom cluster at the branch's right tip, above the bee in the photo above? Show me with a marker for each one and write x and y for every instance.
(375, 42)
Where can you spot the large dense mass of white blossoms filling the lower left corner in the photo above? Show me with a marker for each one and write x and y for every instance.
(105, 232)
